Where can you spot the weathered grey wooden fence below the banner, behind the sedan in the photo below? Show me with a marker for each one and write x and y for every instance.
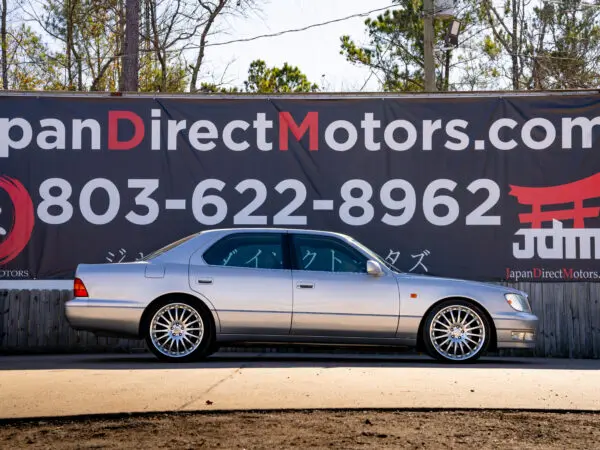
(34, 321)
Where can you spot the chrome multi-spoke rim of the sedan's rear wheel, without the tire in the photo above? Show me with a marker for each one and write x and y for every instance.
(177, 330)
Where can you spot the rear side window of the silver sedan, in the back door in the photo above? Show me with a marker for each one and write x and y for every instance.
(250, 250)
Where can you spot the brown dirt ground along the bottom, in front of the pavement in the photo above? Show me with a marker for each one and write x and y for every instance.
(318, 429)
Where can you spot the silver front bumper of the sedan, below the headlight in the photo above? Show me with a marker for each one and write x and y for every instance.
(516, 330)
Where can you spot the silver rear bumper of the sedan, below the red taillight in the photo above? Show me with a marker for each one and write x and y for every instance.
(112, 317)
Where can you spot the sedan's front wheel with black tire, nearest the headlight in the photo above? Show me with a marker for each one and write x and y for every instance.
(457, 331)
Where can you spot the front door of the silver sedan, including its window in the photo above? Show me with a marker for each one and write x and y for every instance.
(334, 295)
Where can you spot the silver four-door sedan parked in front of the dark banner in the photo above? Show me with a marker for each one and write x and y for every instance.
(222, 287)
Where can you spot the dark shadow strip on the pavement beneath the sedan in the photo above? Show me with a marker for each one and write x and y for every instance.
(269, 360)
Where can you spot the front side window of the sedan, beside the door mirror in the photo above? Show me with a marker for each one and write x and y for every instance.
(324, 254)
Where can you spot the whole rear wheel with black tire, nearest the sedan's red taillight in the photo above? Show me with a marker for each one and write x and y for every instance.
(156, 333)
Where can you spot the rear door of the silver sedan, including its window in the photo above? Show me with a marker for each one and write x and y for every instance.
(247, 277)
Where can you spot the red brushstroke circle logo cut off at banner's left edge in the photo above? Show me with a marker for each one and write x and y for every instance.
(14, 238)
